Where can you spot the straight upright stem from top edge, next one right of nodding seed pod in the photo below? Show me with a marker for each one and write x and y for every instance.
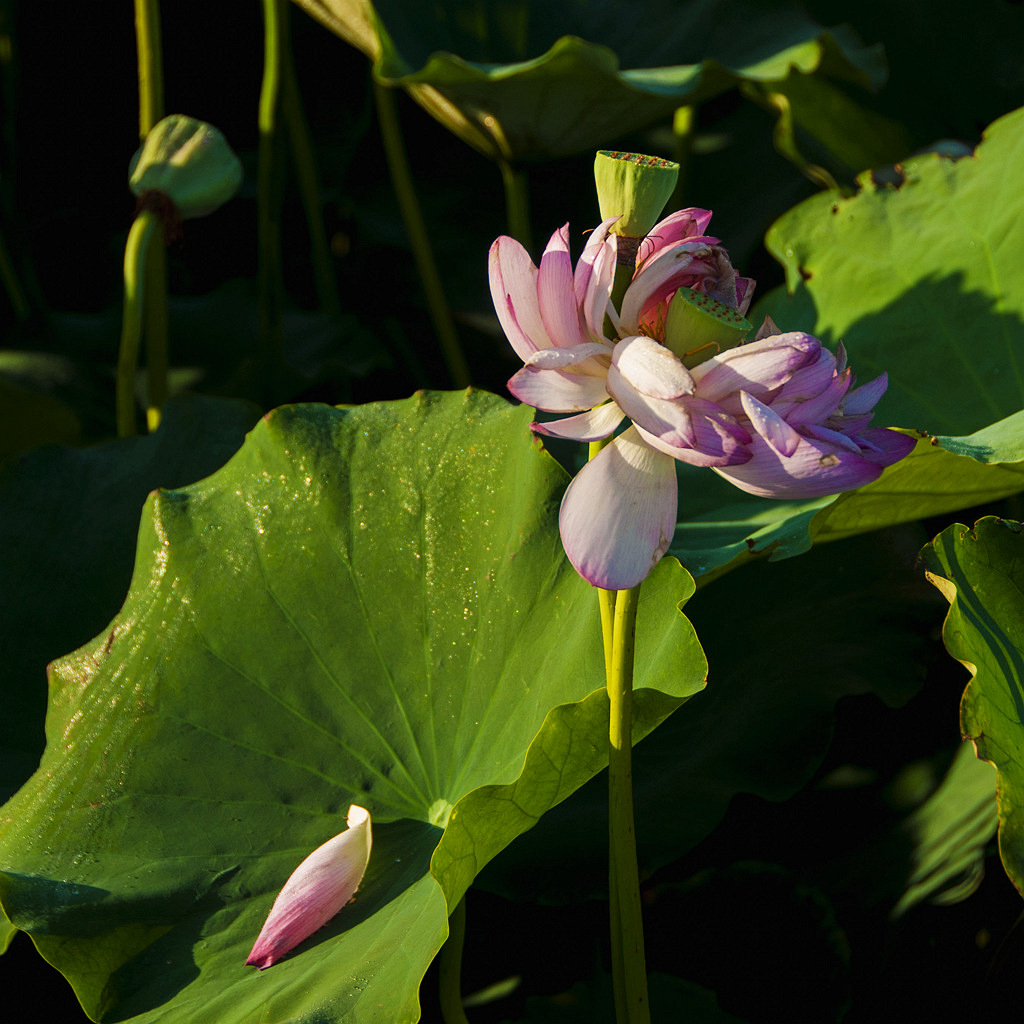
(270, 191)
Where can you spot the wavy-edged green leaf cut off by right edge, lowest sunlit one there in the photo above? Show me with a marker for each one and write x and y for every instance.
(982, 574)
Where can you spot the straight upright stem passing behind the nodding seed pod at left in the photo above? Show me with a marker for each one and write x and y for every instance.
(151, 110)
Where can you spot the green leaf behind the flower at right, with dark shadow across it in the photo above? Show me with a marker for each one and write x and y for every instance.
(942, 311)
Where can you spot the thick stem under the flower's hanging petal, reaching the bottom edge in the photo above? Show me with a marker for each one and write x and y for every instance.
(626, 918)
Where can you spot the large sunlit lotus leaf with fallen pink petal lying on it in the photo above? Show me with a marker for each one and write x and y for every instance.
(365, 606)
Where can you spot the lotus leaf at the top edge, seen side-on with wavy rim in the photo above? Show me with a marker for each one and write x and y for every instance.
(532, 79)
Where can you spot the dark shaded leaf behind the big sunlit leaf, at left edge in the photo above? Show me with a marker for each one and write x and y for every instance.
(68, 524)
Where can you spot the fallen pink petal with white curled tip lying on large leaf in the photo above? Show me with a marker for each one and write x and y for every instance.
(319, 888)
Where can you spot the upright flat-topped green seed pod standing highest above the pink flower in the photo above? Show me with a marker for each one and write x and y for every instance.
(635, 187)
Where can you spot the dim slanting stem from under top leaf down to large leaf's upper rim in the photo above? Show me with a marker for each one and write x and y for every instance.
(402, 179)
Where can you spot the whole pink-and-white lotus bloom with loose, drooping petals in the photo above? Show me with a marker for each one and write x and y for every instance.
(776, 416)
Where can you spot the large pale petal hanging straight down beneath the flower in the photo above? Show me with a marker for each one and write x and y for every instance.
(619, 514)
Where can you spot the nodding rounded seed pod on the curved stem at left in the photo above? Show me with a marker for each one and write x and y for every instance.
(188, 161)
